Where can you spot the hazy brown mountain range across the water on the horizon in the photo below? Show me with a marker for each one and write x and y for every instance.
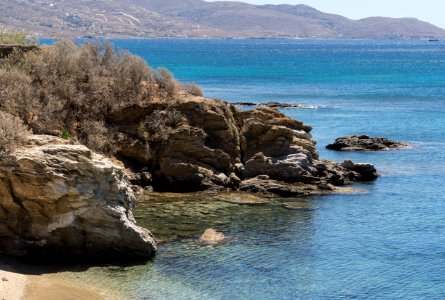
(197, 18)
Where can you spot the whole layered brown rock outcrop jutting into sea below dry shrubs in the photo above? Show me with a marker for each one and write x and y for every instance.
(212, 145)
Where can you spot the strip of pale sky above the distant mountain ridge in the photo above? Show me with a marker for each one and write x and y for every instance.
(427, 10)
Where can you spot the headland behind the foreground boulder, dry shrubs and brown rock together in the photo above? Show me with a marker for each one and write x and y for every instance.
(168, 135)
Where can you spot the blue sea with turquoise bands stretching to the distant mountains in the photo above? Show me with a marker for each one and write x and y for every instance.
(387, 242)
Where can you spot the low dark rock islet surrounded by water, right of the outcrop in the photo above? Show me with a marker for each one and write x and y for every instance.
(364, 143)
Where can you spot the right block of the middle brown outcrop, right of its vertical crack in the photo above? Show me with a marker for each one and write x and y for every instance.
(276, 146)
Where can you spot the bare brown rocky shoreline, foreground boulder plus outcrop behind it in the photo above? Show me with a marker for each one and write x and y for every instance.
(59, 198)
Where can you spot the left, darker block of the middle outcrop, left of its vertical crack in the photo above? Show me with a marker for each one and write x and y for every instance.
(199, 152)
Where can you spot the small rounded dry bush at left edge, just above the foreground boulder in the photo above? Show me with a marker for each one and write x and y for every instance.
(12, 132)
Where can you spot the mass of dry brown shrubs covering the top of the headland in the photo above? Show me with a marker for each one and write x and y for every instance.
(69, 88)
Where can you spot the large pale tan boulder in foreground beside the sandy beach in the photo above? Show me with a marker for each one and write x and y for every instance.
(61, 200)
